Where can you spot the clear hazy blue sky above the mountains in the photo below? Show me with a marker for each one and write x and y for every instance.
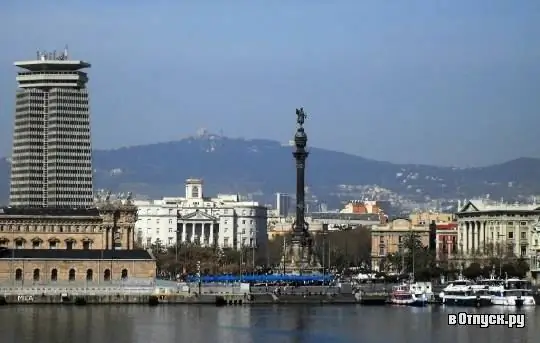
(419, 81)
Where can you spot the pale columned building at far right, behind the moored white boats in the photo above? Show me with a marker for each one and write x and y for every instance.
(494, 228)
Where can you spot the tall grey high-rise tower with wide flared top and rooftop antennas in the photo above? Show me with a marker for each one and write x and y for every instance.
(51, 162)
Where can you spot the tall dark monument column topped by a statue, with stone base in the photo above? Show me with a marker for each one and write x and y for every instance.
(299, 258)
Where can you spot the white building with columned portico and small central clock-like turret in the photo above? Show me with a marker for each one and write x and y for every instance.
(222, 221)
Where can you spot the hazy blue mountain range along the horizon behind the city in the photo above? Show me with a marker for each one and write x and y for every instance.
(263, 167)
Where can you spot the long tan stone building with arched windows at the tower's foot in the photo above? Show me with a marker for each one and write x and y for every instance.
(44, 245)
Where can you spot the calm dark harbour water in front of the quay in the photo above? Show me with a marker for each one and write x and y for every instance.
(287, 324)
